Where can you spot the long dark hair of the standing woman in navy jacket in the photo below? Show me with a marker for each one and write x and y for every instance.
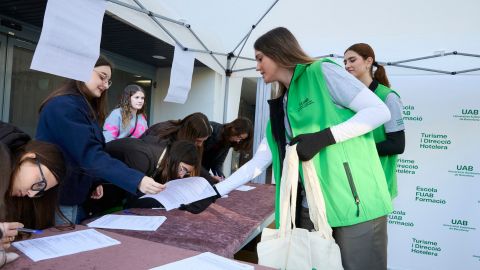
(98, 106)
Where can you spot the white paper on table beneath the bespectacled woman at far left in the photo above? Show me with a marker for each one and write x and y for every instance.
(65, 244)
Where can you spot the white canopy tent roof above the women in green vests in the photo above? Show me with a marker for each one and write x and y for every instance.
(398, 31)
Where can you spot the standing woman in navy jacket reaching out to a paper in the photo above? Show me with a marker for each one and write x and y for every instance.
(71, 117)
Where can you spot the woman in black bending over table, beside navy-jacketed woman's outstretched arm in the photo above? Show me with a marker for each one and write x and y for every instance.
(161, 160)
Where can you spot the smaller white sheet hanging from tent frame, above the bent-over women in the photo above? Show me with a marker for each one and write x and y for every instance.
(180, 76)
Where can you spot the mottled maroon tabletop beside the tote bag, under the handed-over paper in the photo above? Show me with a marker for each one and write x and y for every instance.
(223, 228)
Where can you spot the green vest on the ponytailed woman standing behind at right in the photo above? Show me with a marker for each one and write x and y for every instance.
(389, 163)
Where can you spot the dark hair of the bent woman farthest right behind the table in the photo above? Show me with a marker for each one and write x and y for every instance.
(238, 126)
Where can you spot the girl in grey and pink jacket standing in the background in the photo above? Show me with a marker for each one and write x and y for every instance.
(128, 119)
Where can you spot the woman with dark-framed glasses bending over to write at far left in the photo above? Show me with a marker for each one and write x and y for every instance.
(30, 172)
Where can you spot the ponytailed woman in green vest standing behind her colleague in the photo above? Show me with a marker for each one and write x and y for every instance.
(359, 60)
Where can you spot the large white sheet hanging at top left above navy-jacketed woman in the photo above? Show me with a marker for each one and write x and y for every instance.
(69, 44)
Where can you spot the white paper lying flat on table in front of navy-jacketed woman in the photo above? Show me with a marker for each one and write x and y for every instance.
(128, 222)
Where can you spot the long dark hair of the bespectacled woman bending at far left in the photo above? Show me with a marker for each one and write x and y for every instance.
(36, 213)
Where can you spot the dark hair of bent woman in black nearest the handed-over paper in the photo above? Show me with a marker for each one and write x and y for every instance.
(179, 151)
